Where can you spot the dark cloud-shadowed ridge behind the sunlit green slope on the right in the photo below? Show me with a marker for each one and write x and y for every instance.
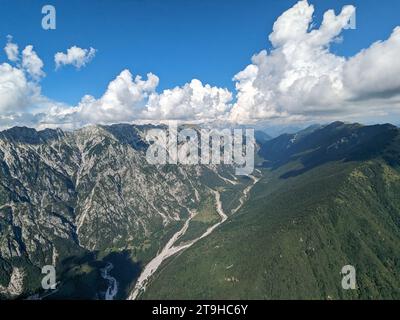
(337, 141)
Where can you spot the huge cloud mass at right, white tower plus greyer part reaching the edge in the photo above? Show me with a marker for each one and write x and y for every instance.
(301, 79)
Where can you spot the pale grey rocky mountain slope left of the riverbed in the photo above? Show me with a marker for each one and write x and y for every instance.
(65, 195)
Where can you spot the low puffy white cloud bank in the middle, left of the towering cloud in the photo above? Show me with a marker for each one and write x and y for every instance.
(129, 98)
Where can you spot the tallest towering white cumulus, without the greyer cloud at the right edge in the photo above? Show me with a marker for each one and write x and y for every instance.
(299, 76)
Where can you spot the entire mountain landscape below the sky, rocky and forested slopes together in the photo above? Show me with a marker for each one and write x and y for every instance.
(320, 199)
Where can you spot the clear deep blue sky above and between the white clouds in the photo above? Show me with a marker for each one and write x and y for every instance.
(176, 39)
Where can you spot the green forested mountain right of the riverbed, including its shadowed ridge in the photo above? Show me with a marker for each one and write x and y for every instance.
(328, 197)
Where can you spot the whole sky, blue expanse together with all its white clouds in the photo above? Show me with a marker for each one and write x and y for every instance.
(247, 66)
